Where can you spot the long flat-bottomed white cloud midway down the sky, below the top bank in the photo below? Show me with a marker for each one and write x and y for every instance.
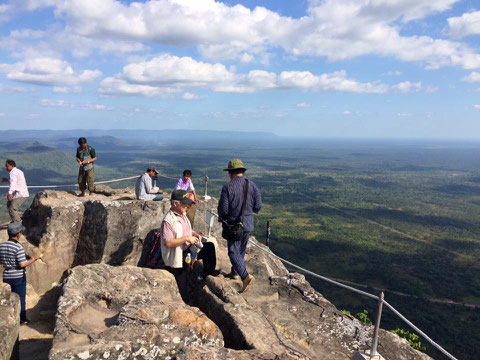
(167, 74)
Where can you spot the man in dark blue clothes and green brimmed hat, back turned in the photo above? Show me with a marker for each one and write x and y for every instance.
(230, 210)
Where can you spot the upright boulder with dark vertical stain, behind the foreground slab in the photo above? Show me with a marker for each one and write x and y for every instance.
(72, 231)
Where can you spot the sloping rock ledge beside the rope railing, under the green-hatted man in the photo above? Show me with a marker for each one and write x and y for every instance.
(283, 314)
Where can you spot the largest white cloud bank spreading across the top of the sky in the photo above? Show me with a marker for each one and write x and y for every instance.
(336, 29)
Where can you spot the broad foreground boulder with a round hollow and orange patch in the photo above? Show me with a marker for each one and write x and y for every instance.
(127, 312)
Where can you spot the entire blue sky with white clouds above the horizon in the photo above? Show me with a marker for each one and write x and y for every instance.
(332, 68)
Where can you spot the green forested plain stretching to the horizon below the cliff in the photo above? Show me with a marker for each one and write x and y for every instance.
(395, 215)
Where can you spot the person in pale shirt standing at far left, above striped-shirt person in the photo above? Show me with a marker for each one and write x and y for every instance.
(17, 192)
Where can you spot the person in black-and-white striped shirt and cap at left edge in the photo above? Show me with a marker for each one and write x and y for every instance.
(14, 261)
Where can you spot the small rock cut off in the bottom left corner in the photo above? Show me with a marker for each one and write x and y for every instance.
(9, 322)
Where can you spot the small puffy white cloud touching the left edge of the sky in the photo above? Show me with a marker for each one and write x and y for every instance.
(47, 71)
